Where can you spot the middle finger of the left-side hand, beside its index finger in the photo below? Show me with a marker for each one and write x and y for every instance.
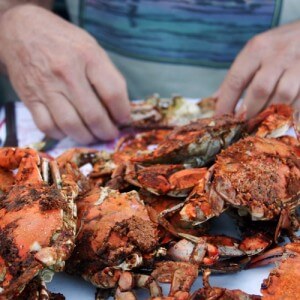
(92, 112)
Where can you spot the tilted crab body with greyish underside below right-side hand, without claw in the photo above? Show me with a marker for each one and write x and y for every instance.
(195, 144)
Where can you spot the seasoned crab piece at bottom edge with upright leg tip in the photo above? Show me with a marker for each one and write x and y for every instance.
(217, 293)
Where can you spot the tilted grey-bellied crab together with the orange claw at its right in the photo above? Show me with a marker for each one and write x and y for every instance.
(197, 143)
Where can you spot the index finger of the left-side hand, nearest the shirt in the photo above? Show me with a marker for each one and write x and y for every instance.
(111, 88)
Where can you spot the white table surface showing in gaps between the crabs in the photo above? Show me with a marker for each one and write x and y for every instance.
(76, 288)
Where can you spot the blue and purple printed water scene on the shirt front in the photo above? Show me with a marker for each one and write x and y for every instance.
(202, 33)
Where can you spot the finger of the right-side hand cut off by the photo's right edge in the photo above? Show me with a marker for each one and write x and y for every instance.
(288, 87)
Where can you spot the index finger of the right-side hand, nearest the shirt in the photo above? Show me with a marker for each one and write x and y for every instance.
(236, 80)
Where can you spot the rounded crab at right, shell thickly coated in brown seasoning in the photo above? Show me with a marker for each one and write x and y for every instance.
(258, 176)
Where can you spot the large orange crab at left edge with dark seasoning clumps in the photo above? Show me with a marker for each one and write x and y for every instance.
(30, 245)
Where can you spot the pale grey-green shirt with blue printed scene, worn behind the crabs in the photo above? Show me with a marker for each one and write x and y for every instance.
(177, 46)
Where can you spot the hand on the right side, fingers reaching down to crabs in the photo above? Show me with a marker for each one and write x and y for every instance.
(269, 67)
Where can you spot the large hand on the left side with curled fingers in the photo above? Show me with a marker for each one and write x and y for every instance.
(62, 75)
